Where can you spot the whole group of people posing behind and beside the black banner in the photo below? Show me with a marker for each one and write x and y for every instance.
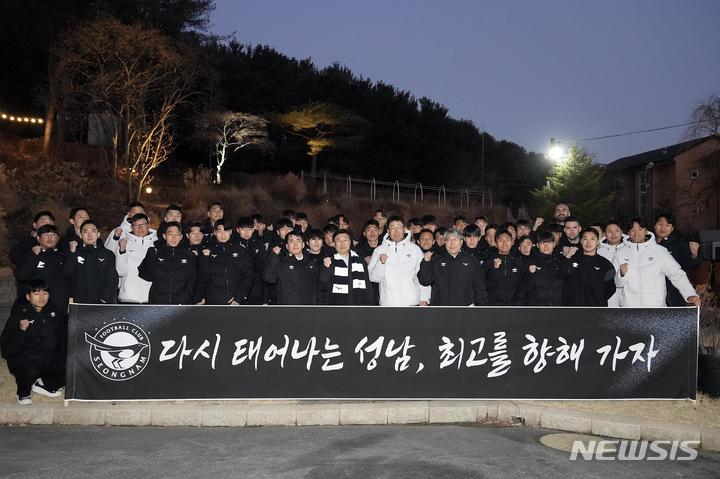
(392, 262)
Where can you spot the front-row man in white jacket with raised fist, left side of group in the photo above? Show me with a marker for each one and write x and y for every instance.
(131, 252)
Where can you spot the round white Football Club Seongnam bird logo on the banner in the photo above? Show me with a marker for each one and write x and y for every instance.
(119, 351)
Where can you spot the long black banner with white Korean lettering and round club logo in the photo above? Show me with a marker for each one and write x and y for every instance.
(118, 352)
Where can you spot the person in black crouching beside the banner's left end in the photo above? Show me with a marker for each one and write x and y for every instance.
(31, 342)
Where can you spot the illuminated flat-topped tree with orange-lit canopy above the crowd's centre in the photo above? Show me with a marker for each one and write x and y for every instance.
(323, 126)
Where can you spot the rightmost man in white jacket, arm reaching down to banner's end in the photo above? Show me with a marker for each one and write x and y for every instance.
(642, 267)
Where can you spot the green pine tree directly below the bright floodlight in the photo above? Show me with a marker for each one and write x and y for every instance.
(577, 182)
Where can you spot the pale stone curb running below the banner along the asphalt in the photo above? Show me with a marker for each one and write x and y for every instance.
(266, 413)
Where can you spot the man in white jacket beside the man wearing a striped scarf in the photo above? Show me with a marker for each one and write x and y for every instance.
(394, 265)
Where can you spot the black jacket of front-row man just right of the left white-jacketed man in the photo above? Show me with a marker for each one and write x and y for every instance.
(172, 272)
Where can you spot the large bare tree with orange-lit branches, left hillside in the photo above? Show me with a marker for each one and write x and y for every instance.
(139, 76)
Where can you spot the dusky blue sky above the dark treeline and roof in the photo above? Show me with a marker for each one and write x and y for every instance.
(525, 70)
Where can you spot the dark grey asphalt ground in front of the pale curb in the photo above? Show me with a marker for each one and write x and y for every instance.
(315, 452)
